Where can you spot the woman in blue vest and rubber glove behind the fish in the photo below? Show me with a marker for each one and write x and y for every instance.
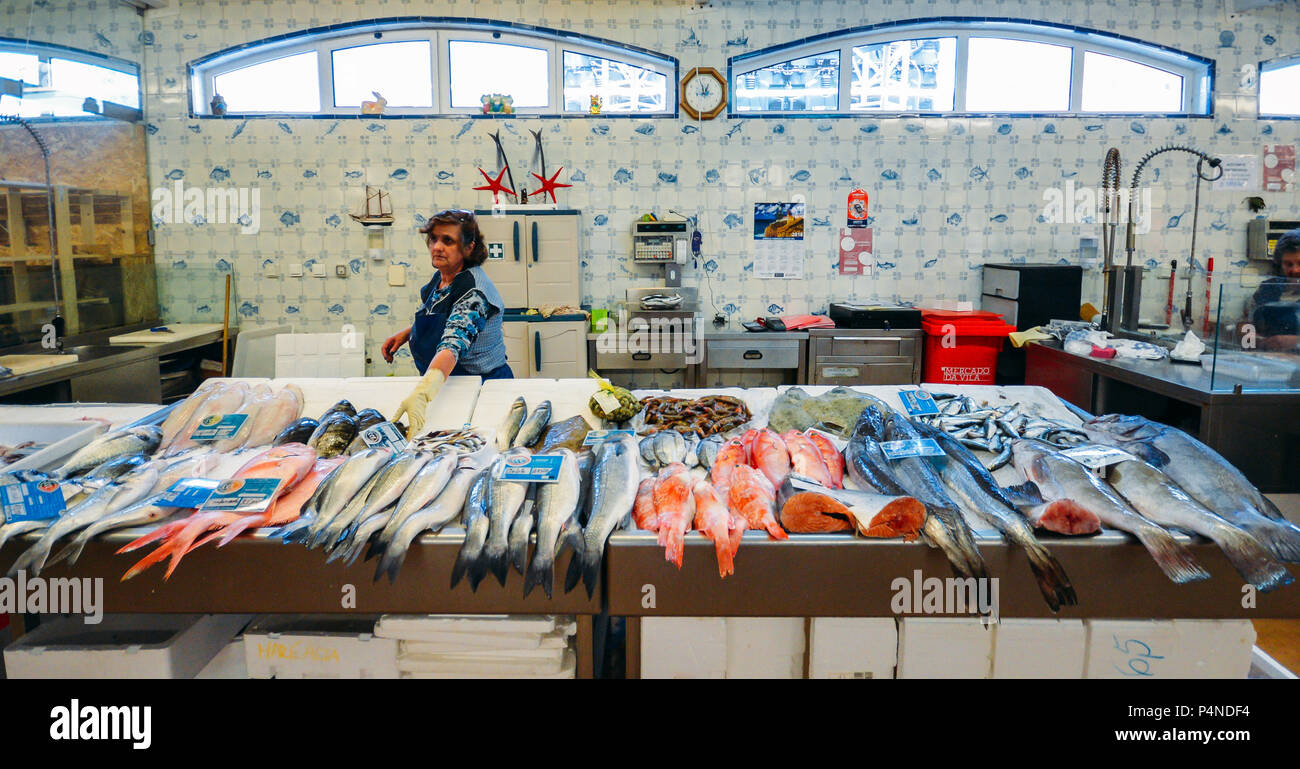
(458, 328)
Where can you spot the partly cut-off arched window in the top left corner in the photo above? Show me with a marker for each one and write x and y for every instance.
(40, 80)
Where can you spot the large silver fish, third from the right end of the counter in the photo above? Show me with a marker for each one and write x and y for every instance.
(1061, 480)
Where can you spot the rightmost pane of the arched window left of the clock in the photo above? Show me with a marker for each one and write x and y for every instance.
(622, 88)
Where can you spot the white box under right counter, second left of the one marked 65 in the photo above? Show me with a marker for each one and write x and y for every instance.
(944, 648)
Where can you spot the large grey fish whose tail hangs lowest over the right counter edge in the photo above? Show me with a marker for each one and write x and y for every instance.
(974, 486)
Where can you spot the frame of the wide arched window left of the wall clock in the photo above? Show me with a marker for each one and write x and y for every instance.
(439, 32)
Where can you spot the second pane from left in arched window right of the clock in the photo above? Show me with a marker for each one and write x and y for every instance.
(904, 76)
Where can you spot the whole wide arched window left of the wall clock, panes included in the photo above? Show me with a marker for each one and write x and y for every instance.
(432, 67)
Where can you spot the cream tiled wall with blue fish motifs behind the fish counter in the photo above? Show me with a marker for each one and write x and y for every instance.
(947, 194)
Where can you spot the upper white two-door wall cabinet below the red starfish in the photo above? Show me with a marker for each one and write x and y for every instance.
(534, 259)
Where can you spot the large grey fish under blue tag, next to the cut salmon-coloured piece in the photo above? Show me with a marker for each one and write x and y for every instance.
(944, 525)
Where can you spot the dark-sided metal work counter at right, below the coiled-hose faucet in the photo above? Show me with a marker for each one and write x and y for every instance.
(1256, 431)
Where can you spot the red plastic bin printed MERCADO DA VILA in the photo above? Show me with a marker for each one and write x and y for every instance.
(961, 347)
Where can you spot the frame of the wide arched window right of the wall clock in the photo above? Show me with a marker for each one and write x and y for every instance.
(1198, 72)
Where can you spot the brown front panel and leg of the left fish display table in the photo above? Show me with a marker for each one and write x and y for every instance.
(265, 576)
